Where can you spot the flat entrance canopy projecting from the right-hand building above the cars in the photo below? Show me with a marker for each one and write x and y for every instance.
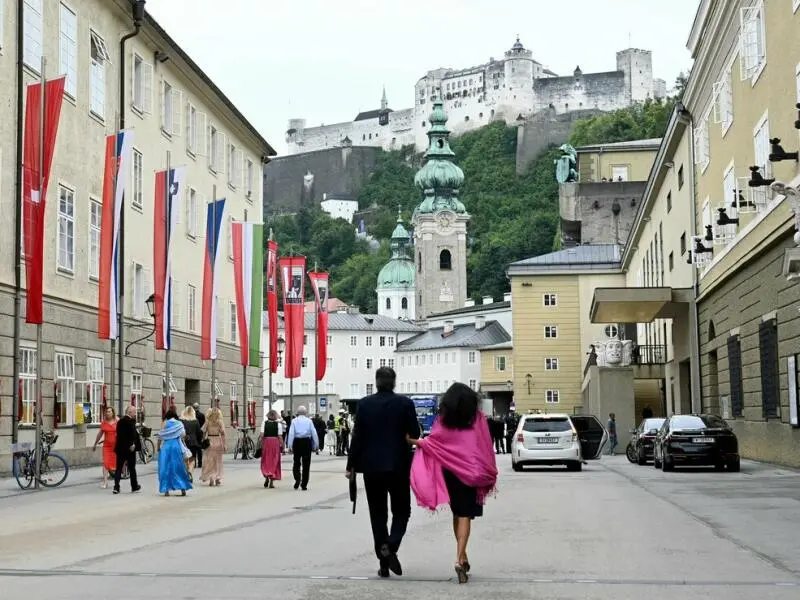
(638, 305)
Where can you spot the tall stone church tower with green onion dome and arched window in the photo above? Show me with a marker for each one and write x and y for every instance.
(440, 225)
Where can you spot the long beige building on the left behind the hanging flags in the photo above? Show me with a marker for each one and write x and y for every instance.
(174, 110)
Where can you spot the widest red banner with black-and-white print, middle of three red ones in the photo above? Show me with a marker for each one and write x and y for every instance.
(293, 281)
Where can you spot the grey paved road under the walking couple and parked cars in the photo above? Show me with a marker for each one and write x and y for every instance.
(615, 531)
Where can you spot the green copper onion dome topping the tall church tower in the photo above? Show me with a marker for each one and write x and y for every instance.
(439, 179)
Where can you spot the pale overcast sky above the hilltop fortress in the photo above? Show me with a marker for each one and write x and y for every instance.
(326, 60)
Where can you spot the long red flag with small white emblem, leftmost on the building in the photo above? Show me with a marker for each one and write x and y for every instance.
(37, 162)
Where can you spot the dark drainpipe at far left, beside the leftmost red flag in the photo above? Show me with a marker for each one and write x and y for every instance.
(18, 224)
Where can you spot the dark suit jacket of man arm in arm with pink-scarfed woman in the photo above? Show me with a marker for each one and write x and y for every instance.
(379, 444)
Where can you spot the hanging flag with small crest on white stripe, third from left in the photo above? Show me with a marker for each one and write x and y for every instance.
(169, 188)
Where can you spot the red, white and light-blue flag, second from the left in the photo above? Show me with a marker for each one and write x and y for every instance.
(119, 147)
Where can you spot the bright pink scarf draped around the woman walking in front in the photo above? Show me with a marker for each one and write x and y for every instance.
(467, 453)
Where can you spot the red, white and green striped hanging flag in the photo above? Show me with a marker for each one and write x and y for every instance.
(248, 273)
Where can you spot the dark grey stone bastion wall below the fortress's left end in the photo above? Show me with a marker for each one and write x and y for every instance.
(340, 172)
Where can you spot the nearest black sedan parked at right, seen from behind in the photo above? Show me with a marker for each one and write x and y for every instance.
(702, 440)
